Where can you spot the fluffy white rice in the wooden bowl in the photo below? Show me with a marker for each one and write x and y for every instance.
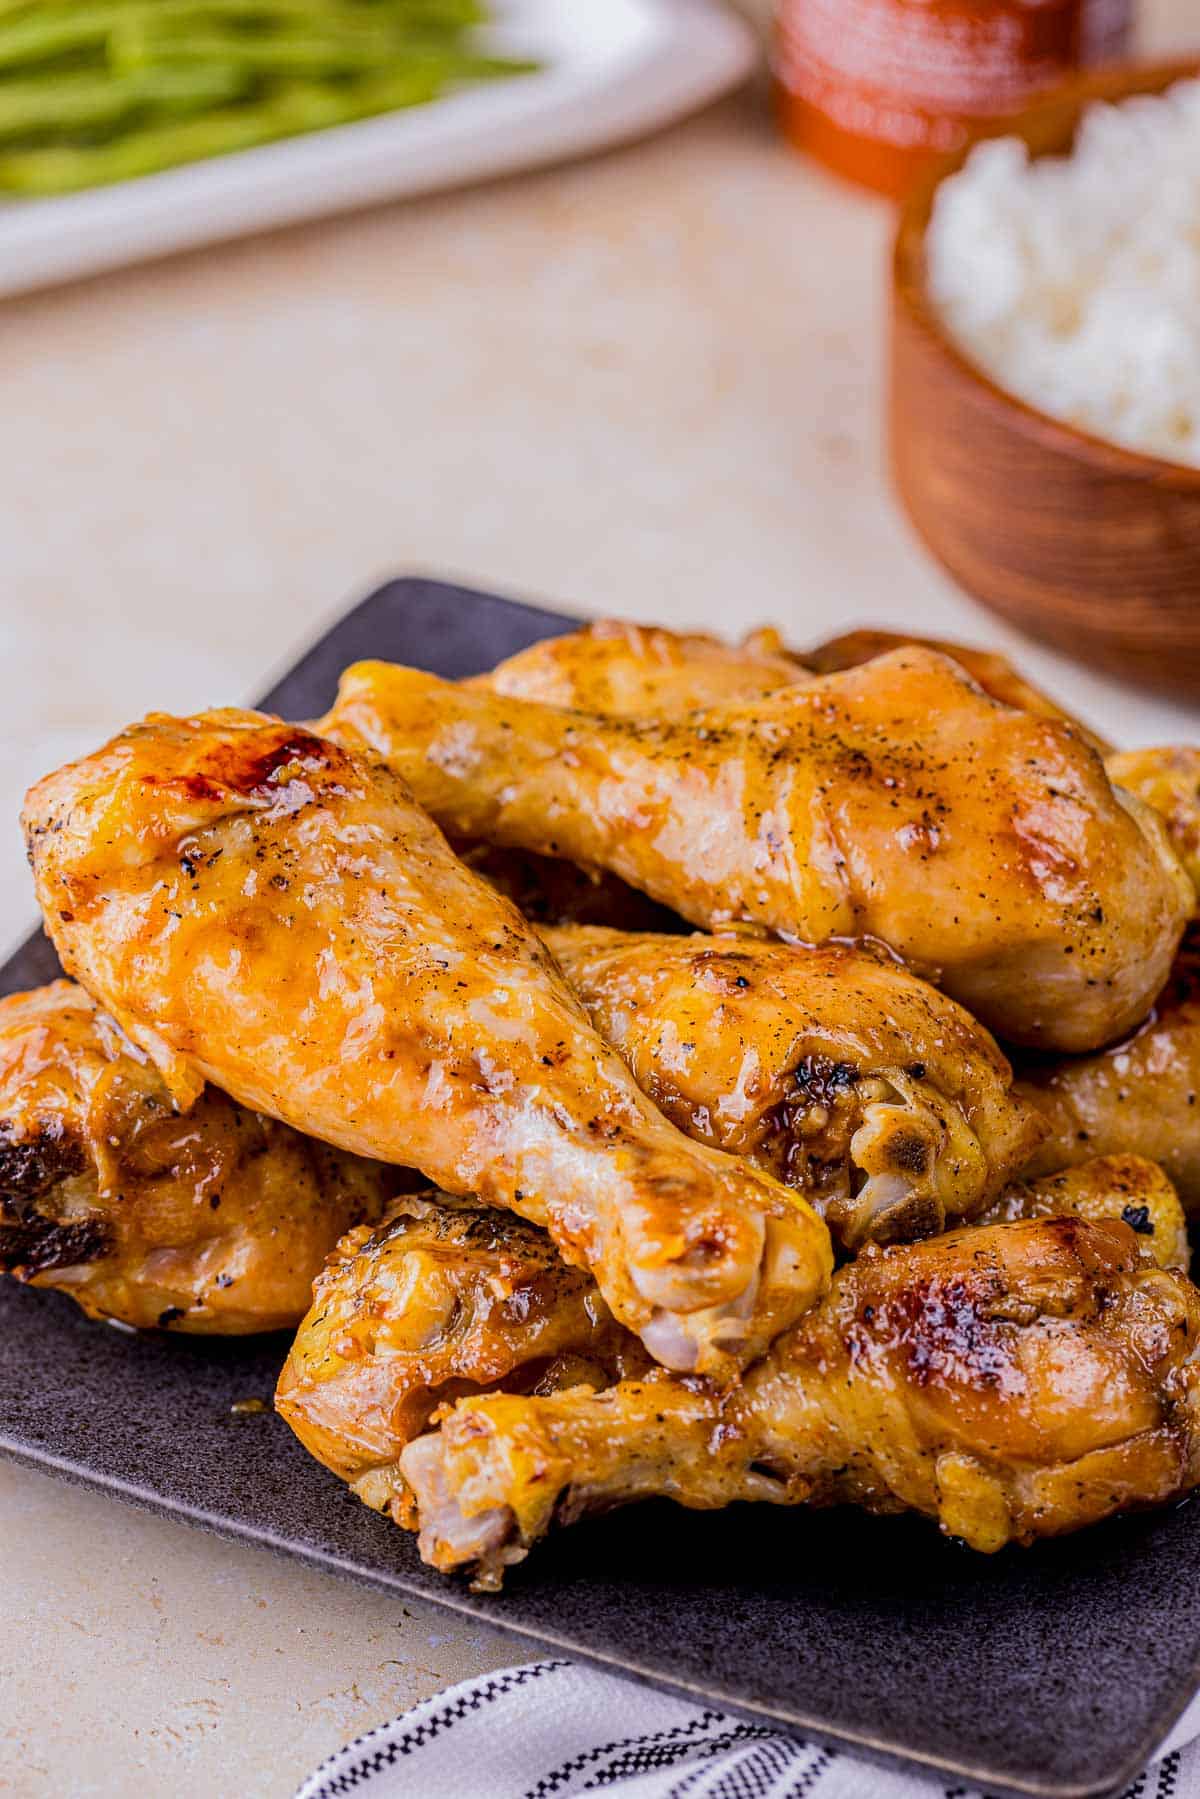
(1075, 282)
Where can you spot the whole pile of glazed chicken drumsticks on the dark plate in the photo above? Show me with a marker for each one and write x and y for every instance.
(598, 1059)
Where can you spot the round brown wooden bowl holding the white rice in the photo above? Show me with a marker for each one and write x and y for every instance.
(1077, 541)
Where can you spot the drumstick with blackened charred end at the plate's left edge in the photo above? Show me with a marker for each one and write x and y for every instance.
(211, 1221)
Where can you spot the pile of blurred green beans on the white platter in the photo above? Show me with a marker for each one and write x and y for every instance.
(103, 91)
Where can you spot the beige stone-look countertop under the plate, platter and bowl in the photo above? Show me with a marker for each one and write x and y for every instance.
(643, 386)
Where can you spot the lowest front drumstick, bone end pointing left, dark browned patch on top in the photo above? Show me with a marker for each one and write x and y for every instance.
(1014, 1383)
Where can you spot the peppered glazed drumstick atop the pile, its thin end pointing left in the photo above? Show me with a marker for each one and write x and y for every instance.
(895, 801)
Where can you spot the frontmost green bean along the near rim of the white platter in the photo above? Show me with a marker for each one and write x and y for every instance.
(289, 112)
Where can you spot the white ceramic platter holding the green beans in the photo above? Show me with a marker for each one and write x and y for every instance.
(614, 69)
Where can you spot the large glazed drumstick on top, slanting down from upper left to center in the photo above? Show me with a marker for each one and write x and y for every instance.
(267, 913)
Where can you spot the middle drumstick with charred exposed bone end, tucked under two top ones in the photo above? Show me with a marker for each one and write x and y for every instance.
(836, 1070)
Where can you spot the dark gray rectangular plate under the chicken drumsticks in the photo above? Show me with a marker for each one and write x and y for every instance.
(1050, 1672)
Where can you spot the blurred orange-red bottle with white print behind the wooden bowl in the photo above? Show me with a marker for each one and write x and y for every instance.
(881, 89)
